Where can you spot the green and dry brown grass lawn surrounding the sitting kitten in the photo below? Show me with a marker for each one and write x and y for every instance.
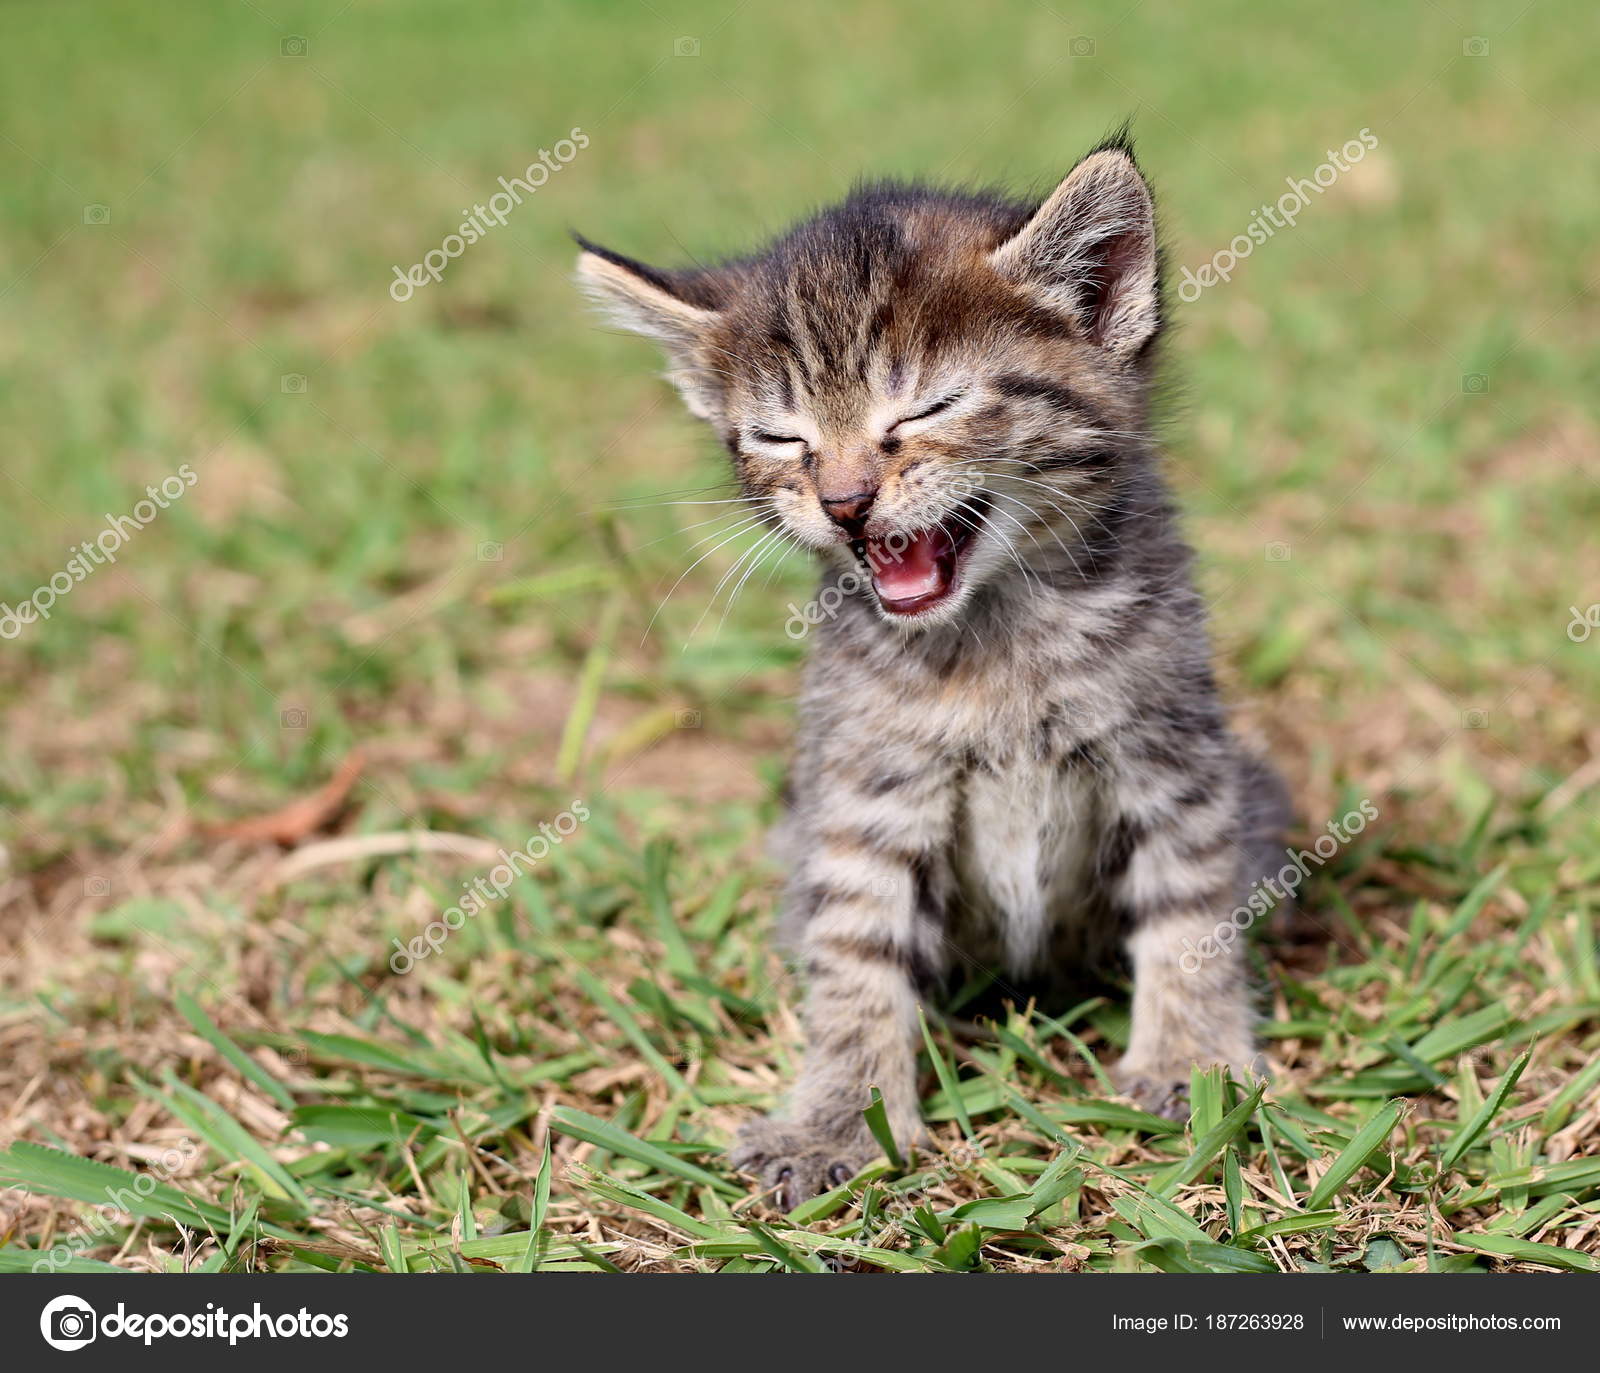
(444, 550)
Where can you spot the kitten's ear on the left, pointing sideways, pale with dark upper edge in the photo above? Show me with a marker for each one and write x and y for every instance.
(652, 303)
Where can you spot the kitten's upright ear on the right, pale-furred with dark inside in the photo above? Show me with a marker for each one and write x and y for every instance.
(1090, 252)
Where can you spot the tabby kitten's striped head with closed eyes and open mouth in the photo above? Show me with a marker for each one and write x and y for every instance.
(943, 386)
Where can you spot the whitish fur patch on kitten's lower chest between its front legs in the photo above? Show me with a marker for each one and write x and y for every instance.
(1025, 844)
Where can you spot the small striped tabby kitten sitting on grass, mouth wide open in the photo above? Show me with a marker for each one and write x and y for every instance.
(1012, 753)
